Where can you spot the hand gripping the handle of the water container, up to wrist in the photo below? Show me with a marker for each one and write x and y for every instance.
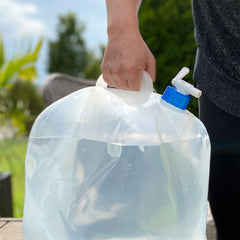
(125, 57)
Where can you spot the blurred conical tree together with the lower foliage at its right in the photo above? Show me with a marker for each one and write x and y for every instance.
(68, 53)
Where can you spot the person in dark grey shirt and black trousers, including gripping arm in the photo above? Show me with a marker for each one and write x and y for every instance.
(217, 74)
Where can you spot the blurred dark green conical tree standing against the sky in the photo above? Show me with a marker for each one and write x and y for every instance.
(68, 54)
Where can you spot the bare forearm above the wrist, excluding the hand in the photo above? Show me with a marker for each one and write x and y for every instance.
(122, 15)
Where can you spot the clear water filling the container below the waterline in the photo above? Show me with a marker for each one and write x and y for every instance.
(103, 191)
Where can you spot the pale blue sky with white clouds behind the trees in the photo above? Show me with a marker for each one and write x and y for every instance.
(25, 21)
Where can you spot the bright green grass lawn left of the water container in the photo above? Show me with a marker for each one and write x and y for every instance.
(12, 159)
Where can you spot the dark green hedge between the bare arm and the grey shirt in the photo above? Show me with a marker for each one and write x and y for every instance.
(167, 28)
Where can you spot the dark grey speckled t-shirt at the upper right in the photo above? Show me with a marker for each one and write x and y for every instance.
(217, 68)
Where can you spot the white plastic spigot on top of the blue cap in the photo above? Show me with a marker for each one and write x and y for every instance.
(185, 87)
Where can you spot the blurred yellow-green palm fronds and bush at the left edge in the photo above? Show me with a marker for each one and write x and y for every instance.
(20, 103)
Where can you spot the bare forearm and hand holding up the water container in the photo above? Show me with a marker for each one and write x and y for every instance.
(126, 54)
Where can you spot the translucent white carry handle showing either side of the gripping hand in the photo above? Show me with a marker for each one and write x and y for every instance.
(146, 82)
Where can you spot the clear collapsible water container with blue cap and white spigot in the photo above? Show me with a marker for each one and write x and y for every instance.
(110, 164)
